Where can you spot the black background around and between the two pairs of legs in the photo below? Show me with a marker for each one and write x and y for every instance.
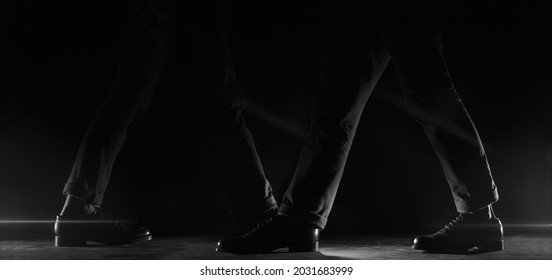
(57, 59)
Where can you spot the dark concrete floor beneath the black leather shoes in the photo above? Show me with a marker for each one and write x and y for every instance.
(527, 246)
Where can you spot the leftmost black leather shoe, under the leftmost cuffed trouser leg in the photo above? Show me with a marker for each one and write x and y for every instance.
(76, 231)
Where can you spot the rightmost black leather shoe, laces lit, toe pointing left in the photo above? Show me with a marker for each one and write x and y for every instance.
(466, 233)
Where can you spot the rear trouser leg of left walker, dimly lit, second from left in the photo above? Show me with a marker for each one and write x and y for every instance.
(192, 32)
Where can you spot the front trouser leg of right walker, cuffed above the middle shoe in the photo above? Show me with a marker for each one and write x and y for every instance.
(354, 62)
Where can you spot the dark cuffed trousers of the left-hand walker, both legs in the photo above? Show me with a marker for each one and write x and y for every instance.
(185, 33)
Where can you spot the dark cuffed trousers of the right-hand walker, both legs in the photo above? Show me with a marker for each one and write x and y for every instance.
(368, 35)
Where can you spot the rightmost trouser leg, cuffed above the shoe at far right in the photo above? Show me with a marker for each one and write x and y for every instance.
(410, 32)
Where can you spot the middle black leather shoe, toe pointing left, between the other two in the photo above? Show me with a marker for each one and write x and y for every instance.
(273, 233)
